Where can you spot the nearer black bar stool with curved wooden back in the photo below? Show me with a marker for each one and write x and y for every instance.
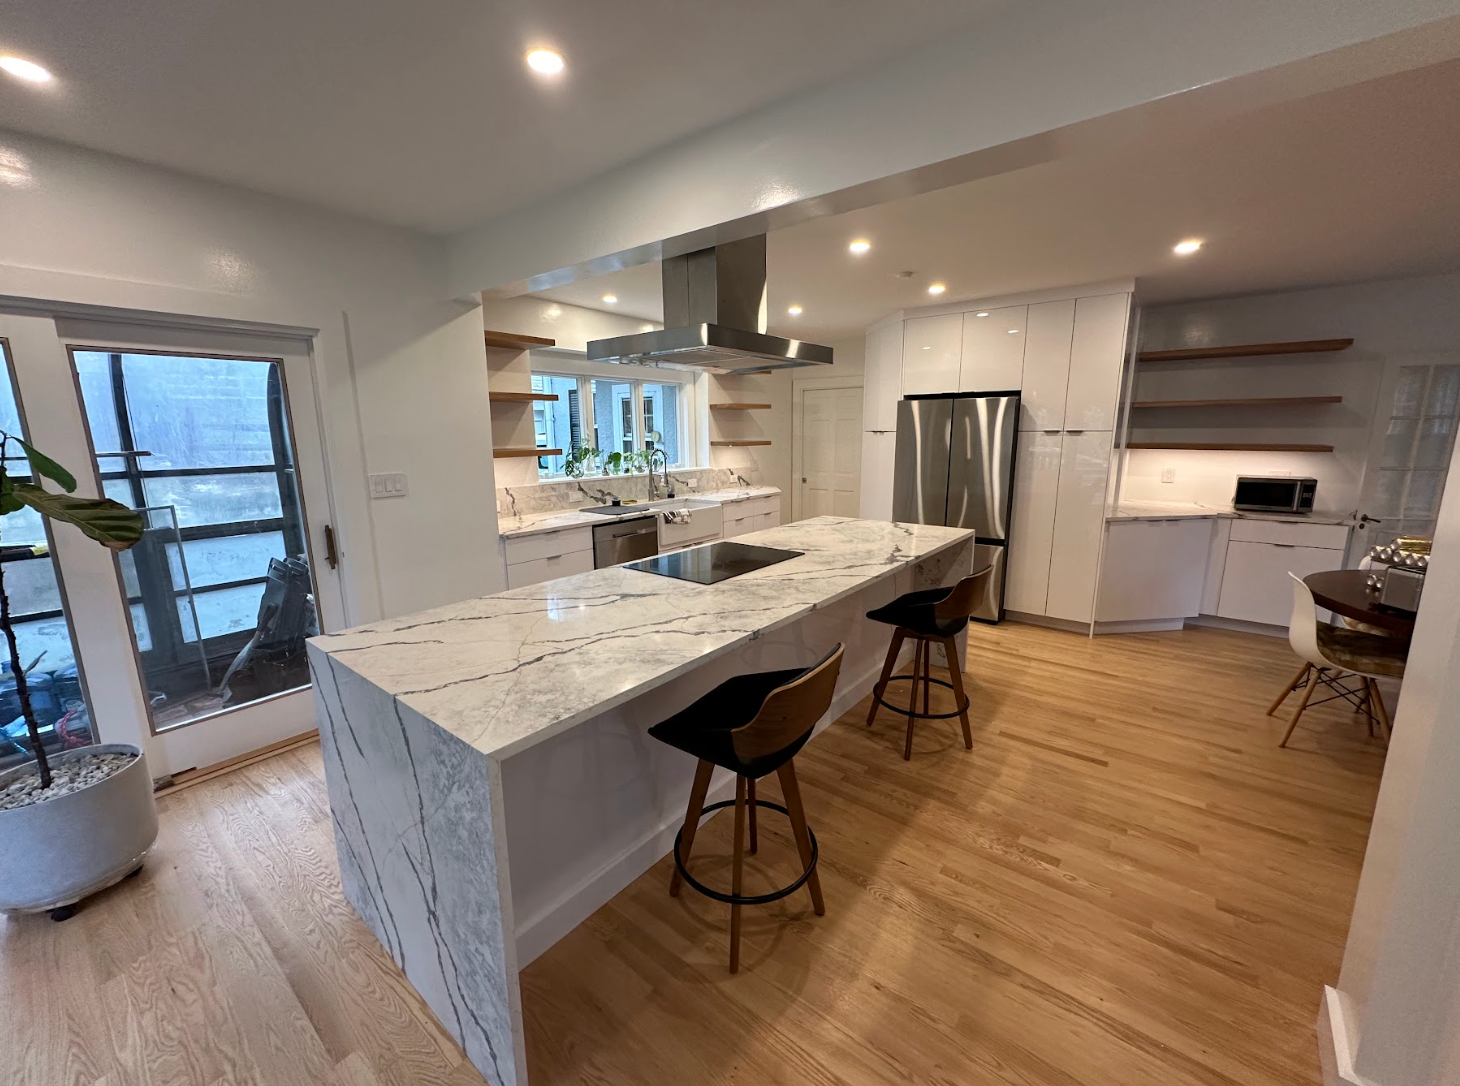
(753, 726)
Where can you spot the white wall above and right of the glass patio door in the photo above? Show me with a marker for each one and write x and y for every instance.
(401, 369)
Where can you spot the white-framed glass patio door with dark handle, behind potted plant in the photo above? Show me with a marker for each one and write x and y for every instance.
(192, 642)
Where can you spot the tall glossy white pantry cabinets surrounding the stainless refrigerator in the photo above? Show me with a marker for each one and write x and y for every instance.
(1065, 355)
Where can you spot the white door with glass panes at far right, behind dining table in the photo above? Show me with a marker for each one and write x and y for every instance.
(1410, 452)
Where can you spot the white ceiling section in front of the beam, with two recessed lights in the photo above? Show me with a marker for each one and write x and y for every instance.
(421, 113)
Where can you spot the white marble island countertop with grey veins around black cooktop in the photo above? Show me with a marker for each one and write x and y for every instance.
(506, 672)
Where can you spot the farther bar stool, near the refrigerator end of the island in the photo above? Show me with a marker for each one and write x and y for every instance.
(926, 617)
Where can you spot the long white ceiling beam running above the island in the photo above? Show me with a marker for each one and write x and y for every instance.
(1039, 82)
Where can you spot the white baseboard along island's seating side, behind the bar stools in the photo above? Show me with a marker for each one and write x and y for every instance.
(539, 932)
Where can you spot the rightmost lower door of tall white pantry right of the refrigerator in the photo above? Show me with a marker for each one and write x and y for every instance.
(1080, 525)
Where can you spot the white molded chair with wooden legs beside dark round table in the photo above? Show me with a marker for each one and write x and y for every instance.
(1332, 655)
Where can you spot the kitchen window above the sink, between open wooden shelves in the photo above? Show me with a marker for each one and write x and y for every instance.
(614, 409)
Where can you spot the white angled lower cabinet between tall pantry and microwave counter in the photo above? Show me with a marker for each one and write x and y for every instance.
(1154, 570)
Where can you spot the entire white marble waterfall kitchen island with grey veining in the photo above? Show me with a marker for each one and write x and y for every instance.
(488, 763)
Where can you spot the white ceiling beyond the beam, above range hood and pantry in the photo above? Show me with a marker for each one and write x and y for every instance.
(1354, 185)
